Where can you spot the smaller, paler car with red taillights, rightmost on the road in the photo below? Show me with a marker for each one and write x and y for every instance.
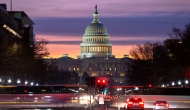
(161, 105)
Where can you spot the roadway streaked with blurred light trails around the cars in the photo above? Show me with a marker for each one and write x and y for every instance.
(69, 100)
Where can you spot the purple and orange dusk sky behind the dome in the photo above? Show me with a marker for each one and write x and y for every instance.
(128, 22)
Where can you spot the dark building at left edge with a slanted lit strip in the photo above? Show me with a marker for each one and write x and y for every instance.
(16, 36)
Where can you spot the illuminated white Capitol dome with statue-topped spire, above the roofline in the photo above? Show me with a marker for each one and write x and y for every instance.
(96, 40)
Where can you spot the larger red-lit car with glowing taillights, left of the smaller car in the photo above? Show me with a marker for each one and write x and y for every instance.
(134, 104)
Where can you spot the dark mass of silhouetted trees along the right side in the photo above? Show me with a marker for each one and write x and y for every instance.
(157, 63)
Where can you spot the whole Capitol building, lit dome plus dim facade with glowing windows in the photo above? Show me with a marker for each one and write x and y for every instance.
(96, 57)
